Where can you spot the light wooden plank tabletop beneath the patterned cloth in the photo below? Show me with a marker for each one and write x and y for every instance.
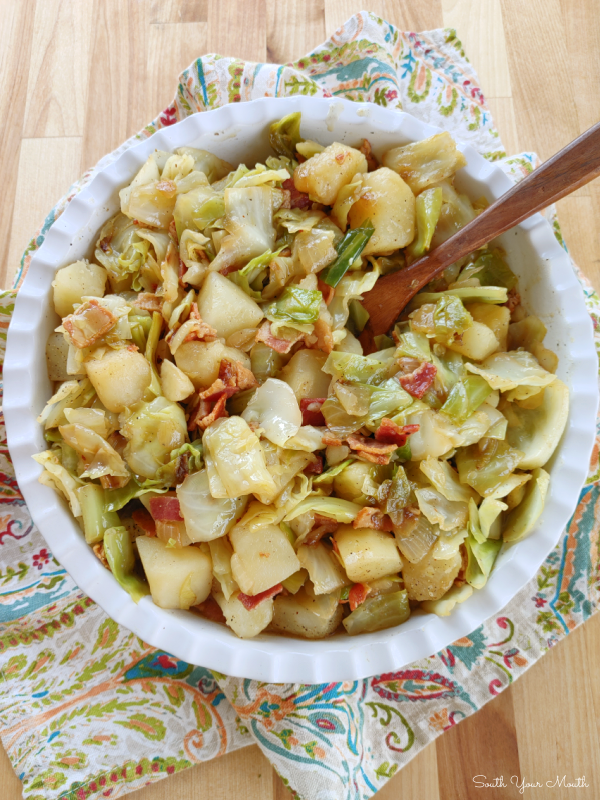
(78, 77)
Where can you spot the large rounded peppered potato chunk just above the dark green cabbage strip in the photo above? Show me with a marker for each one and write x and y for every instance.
(391, 206)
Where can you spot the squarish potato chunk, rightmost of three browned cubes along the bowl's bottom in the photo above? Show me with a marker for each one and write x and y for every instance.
(367, 554)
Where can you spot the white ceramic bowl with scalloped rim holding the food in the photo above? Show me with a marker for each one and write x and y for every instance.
(239, 133)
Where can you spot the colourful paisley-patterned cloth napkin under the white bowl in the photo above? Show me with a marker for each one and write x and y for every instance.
(88, 710)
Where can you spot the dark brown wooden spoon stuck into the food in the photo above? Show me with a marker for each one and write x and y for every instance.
(574, 166)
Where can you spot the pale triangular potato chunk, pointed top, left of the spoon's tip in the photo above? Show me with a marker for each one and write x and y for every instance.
(226, 307)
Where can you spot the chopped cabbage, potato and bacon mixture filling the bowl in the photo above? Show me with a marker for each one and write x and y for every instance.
(221, 437)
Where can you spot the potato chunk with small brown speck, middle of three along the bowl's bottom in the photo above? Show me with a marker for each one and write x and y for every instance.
(262, 558)
